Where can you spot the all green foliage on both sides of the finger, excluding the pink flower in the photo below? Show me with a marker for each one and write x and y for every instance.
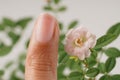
(88, 69)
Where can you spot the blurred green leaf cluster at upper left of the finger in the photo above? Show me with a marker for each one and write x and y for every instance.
(8, 26)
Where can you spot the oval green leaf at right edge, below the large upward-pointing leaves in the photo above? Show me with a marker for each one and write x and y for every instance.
(112, 52)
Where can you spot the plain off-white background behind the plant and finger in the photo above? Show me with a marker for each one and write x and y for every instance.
(96, 15)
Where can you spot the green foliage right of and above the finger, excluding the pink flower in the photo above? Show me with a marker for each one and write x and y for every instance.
(90, 68)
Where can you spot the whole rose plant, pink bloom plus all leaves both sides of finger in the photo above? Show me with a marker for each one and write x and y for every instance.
(80, 52)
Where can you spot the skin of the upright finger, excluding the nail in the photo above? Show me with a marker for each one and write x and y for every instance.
(41, 61)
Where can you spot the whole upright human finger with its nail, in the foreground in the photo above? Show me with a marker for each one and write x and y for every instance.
(41, 61)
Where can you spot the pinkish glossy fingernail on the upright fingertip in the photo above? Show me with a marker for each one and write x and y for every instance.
(45, 28)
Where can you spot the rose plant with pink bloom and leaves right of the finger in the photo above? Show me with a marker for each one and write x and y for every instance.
(80, 52)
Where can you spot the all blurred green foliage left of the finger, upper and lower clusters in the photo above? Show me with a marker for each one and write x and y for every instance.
(8, 26)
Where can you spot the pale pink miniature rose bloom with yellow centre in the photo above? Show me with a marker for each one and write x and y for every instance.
(78, 42)
